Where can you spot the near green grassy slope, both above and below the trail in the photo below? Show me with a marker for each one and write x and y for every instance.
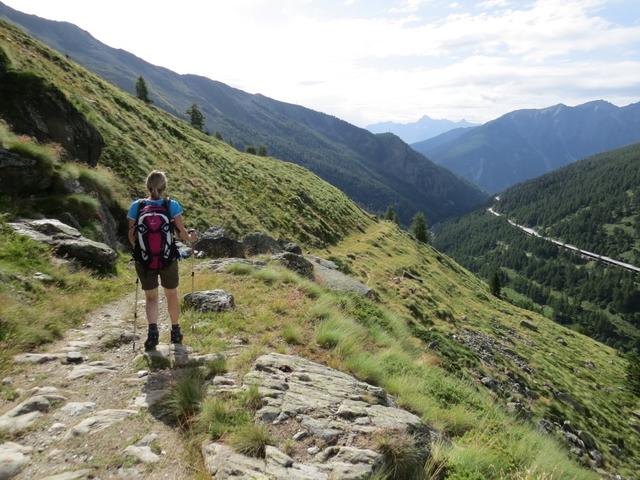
(241, 191)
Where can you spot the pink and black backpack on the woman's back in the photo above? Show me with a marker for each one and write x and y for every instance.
(155, 243)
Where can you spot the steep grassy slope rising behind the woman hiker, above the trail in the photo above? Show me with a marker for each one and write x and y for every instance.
(215, 182)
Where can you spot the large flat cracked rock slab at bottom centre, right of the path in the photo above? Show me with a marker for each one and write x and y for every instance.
(335, 417)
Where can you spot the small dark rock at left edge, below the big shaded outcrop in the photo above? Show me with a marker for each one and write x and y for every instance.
(20, 174)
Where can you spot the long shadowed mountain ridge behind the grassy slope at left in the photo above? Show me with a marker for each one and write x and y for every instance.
(374, 170)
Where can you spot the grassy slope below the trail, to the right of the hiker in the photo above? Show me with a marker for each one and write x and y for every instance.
(384, 344)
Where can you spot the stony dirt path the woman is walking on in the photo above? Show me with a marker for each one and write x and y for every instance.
(80, 417)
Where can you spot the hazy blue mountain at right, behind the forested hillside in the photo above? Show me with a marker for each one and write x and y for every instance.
(527, 143)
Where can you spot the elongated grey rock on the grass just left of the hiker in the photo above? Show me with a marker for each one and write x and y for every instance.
(68, 242)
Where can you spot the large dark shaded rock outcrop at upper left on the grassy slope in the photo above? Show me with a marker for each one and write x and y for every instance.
(36, 108)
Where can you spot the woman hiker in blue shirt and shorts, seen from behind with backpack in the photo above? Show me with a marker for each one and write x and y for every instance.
(152, 224)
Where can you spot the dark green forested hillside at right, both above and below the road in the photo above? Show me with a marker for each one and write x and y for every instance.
(593, 204)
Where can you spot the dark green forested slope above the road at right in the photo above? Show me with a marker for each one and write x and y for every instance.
(594, 204)
